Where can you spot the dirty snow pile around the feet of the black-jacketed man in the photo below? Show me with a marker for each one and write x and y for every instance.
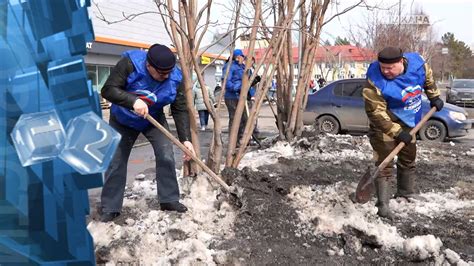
(150, 236)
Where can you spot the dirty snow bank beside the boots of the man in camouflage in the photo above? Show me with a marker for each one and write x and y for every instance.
(328, 211)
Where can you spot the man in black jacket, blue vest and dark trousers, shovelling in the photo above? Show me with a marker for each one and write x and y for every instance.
(142, 83)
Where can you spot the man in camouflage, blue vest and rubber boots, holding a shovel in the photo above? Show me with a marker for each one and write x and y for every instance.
(392, 98)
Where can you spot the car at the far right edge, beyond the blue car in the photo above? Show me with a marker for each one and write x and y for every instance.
(461, 92)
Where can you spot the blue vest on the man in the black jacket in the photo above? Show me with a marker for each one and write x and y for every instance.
(155, 93)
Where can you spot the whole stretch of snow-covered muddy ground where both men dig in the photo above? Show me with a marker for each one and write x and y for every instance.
(278, 222)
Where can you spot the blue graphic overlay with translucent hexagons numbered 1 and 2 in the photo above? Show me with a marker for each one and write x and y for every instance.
(43, 88)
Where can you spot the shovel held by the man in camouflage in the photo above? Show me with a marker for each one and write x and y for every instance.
(366, 186)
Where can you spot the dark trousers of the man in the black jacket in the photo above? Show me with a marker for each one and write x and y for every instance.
(116, 174)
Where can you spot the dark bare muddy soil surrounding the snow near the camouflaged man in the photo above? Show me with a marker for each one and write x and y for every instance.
(266, 227)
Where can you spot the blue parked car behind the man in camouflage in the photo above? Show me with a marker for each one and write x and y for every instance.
(339, 107)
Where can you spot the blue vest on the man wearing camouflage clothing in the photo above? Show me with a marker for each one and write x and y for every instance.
(402, 94)
